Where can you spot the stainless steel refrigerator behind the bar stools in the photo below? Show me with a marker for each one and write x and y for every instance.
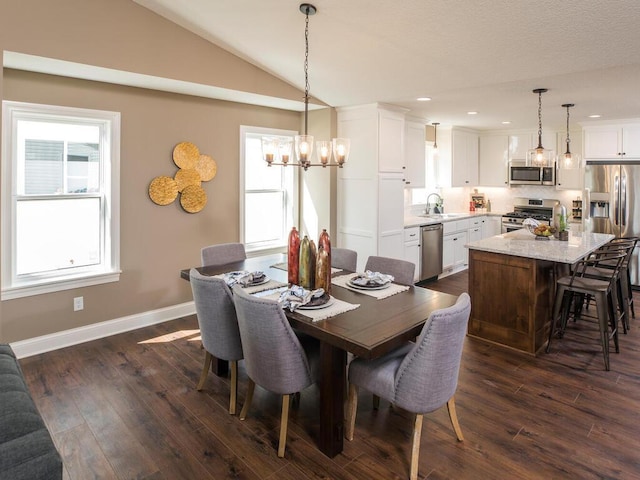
(612, 204)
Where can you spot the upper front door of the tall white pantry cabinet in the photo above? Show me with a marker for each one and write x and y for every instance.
(390, 142)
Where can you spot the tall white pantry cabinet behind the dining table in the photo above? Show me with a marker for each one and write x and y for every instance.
(370, 188)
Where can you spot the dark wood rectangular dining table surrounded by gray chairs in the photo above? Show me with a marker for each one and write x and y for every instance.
(371, 330)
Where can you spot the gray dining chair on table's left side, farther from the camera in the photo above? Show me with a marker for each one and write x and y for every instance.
(218, 327)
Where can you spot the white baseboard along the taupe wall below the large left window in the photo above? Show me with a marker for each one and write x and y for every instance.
(74, 336)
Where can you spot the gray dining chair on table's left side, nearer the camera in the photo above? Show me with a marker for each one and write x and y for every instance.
(275, 358)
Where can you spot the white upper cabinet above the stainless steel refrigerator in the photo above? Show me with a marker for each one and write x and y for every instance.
(612, 142)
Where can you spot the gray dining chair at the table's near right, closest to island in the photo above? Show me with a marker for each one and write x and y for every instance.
(419, 377)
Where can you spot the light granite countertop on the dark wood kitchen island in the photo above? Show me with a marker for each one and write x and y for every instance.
(522, 243)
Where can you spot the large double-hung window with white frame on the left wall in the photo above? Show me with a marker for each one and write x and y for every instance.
(60, 201)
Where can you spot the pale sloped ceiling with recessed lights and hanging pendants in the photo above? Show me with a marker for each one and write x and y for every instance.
(467, 55)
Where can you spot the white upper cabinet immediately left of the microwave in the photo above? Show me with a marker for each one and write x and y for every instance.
(494, 161)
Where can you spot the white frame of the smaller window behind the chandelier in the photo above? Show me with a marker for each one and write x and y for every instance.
(248, 130)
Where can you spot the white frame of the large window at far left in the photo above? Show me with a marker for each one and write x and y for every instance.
(108, 269)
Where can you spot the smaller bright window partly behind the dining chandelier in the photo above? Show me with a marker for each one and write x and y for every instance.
(268, 195)
